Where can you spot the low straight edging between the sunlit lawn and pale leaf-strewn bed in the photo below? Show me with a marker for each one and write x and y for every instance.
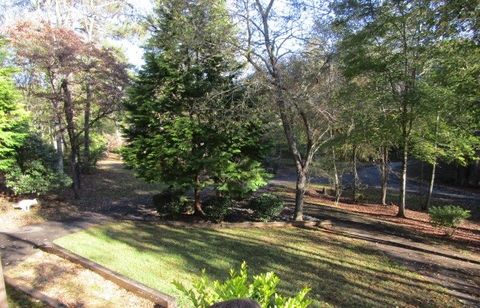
(158, 298)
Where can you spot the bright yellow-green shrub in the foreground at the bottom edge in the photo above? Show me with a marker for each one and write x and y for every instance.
(261, 288)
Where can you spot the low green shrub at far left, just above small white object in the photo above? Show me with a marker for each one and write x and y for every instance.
(35, 178)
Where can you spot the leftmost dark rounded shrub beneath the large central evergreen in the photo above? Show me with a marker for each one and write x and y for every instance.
(172, 202)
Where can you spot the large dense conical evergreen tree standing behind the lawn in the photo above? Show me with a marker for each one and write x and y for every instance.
(188, 124)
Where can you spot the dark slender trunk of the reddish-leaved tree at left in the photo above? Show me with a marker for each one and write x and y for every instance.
(68, 108)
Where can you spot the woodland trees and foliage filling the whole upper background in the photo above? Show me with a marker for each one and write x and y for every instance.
(345, 82)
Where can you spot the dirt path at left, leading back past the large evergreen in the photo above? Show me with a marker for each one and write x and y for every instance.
(111, 192)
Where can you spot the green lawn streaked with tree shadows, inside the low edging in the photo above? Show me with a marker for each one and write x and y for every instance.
(340, 271)
